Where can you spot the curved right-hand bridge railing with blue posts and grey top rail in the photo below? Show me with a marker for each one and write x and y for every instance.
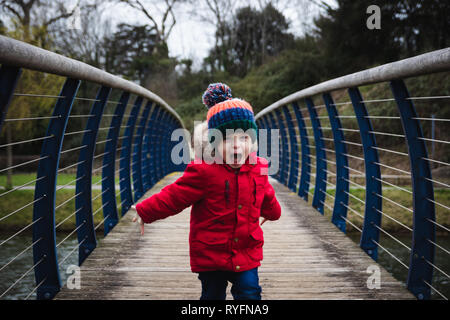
(423, 241)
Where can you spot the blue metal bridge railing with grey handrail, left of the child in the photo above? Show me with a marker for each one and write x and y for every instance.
(116, 139)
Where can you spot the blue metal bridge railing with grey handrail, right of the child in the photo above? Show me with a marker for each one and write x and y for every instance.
(337, 162)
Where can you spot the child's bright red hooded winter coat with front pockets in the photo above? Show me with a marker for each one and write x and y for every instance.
(226, 205)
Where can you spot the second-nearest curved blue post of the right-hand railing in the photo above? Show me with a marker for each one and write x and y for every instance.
(372, 216)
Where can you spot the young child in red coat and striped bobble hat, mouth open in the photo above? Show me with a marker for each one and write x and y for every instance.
(228, 197)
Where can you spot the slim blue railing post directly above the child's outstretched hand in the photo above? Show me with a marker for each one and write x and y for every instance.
(137, 154)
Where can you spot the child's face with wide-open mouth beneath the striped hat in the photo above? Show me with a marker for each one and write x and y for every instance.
(235, 148)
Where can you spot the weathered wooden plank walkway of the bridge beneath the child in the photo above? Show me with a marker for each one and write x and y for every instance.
(305, 257)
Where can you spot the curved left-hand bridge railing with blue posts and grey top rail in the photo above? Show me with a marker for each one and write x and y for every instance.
(139, 141)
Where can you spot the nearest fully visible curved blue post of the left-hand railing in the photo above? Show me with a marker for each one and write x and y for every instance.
(45, 257)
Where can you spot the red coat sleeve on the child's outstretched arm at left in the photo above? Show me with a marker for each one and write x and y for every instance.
(175, 197)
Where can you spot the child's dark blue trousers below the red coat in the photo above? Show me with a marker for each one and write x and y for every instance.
(245, 285)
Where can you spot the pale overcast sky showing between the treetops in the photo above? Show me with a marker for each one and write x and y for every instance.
(193, 37)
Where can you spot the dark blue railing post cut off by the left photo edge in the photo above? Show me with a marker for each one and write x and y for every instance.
(9, 76)
